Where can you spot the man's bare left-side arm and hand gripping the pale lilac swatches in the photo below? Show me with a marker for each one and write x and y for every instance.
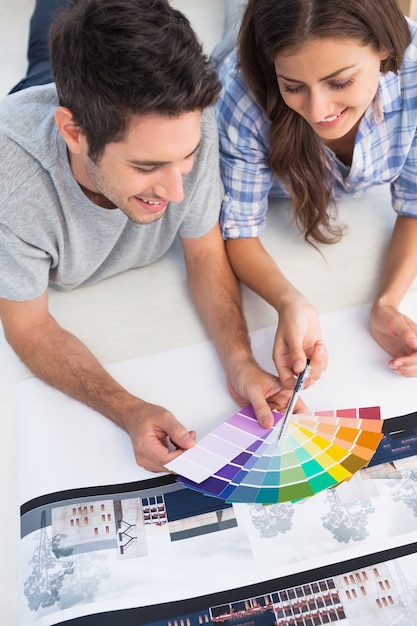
(60, 359)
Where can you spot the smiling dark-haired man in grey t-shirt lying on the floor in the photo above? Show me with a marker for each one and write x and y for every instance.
(103, 169)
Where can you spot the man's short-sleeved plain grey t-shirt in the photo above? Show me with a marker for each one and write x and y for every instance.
(51, 233)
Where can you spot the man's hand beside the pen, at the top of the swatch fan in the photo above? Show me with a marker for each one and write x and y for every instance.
(250, 384)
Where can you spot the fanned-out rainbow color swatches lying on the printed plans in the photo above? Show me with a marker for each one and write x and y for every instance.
(240, 461)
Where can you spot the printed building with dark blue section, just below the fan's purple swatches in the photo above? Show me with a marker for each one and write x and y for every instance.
(123, 523)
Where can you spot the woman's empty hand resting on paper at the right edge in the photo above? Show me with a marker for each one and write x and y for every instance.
(397, 334)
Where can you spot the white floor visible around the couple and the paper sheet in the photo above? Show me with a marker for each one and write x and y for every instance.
(133, 325)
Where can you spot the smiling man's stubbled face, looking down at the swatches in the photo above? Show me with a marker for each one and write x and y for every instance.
(143, 173)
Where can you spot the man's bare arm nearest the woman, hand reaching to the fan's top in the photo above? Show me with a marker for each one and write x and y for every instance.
(216, 293)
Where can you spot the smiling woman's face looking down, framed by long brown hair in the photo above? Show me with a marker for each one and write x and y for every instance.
(330, 83)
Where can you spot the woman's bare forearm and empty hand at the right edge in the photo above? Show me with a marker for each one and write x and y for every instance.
(394, 331)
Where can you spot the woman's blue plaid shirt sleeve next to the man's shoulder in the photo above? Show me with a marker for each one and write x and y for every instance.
(243, 130)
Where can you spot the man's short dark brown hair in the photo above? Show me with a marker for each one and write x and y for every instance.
(115, 58)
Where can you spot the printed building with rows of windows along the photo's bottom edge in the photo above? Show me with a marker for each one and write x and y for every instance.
(364, 597)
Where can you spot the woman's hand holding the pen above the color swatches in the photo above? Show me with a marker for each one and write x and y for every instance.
(299, 337)
